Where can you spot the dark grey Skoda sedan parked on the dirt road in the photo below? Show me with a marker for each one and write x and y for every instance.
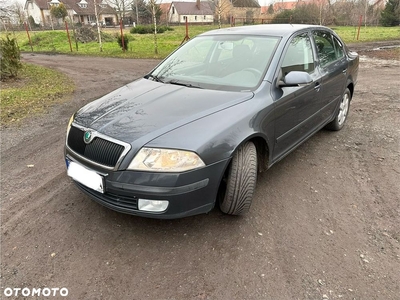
(196, 130)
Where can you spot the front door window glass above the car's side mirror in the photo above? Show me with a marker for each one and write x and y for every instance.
(299, 56)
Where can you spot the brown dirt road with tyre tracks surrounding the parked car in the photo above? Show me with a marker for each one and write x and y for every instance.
(324, 224)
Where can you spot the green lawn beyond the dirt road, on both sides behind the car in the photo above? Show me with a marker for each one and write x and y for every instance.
(142, 45)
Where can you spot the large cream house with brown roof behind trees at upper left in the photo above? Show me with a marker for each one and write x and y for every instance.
(79, 11)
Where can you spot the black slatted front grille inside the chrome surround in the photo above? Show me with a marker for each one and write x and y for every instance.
(101, 151)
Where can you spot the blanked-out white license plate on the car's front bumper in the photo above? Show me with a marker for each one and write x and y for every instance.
(85, 176)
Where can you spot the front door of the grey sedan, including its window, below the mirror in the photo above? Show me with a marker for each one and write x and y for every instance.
(296, 107)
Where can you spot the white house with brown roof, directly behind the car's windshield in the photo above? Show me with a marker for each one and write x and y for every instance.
(193, 12)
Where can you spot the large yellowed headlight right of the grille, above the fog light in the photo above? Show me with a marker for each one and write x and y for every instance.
(165, 160)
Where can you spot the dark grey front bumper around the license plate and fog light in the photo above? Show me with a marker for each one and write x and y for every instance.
(188, 193)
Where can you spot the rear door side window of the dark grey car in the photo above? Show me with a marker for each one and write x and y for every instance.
(325, 47)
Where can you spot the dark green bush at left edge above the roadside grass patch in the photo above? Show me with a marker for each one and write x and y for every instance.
(10, 58)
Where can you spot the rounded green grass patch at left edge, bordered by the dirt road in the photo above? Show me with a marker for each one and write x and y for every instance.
(35, 90)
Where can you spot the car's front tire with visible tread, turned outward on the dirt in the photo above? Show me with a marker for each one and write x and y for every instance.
(241, 181)
